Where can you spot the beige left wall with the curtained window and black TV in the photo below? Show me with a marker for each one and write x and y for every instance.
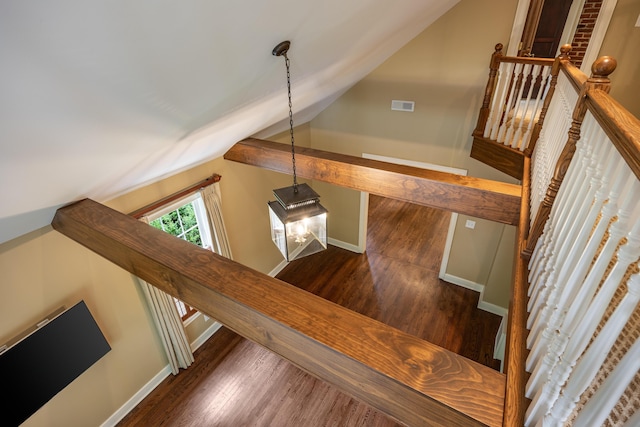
(44, 270)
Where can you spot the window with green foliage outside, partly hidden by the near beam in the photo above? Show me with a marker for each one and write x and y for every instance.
(186, 219)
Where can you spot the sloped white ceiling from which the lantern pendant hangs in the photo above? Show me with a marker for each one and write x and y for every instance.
(98, 97)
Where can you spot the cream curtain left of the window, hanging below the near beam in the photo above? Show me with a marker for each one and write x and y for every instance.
(169, 324)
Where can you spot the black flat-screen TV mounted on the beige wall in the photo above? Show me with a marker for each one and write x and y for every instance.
(39, 365)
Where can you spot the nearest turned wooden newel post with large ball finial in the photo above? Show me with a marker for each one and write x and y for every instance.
(600, 71)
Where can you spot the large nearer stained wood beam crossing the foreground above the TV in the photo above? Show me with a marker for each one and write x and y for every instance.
(411, 380)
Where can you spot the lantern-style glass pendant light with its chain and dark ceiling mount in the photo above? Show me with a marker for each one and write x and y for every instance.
(298, 220)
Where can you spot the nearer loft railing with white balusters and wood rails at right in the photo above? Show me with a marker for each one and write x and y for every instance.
(577, 283)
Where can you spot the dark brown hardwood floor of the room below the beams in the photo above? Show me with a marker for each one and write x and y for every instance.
(237, 383)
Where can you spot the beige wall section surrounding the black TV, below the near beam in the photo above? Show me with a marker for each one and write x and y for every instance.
(43, 271)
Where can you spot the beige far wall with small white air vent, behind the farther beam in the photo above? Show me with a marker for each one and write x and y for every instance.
(444, 70)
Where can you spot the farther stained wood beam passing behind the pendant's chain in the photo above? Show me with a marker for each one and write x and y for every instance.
(492, 200)
